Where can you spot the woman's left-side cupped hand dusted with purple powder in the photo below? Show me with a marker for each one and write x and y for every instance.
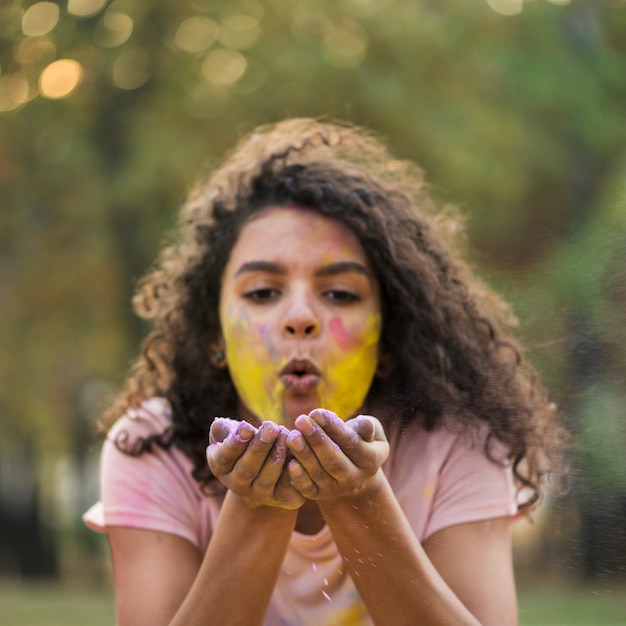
(250, 462)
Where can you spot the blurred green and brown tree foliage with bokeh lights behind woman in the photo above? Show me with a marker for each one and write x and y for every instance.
(110, 109)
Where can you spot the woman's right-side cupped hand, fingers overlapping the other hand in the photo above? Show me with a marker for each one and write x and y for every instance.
(333, 458)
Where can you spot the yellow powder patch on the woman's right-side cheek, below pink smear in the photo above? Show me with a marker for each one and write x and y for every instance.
(350, 371)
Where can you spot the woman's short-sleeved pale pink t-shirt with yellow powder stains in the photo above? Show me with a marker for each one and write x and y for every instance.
(440, 478)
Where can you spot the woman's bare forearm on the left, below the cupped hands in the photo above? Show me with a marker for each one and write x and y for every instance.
(240, 568)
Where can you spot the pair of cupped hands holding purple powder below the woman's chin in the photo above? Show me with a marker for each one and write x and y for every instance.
(322, 458)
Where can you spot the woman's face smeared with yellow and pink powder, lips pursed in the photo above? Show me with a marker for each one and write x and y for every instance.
(300, 315)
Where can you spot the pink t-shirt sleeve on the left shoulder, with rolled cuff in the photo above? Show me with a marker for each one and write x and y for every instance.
(151, 491)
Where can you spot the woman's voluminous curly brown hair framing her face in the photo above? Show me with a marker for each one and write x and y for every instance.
(448, 353)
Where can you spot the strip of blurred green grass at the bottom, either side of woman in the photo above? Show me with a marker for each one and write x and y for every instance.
(51, 605)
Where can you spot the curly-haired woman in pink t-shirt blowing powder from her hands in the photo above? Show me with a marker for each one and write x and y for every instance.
(374, 430)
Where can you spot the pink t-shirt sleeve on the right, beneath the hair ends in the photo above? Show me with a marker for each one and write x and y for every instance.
(471, 487)
